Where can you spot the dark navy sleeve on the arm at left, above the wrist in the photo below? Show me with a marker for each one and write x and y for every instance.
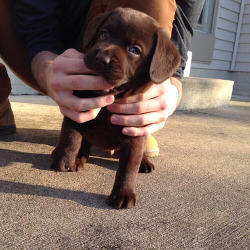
(38, 25)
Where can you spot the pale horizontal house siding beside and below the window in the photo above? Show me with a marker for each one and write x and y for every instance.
(225, 37)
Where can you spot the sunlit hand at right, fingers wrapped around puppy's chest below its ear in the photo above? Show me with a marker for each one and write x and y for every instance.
(145, 113)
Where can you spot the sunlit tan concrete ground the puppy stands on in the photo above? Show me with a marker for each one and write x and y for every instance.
(198, 197)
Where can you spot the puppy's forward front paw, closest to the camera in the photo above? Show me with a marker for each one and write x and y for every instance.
(122, 199)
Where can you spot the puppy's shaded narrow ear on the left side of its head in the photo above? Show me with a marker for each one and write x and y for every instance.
(93, 28)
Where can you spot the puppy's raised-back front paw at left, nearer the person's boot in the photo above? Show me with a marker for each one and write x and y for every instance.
(62, 162)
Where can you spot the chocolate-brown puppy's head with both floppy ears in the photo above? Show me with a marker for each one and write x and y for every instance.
(129, 49)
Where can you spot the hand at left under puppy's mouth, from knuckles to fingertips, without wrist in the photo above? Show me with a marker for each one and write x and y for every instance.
(69, 73)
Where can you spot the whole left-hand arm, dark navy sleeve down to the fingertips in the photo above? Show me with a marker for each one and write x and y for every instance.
(57, 71)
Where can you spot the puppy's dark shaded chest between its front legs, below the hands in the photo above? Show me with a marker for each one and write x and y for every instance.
(101, 133)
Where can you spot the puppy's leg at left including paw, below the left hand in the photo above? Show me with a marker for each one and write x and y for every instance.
(63, 157)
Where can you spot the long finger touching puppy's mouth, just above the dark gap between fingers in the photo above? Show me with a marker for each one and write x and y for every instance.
(80, 82)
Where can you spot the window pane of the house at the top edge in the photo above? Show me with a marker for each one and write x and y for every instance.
(205, 21)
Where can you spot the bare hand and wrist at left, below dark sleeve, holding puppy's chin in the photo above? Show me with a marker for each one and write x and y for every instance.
(59, 75)
